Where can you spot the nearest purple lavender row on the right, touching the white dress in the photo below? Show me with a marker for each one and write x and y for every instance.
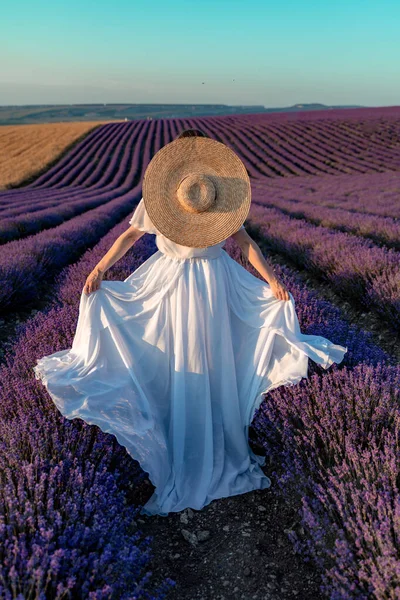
(327, 434)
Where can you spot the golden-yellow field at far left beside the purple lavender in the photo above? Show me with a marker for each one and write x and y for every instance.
(26, 150)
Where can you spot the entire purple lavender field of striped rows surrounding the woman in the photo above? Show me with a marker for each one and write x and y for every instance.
(326, 202)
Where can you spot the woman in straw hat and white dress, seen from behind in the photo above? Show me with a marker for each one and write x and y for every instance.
(175, 359)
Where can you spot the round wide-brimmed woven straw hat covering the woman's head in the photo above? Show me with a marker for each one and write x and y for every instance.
(196, 191)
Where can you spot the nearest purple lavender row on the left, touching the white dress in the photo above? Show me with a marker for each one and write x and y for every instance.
(67, 510)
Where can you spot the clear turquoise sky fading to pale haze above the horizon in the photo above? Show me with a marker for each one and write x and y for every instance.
(252, 52)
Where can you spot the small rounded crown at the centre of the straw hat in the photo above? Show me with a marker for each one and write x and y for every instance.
(196, 192)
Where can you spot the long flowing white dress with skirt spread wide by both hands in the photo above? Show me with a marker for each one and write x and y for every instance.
(174, 360)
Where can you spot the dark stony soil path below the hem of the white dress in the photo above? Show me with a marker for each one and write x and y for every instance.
(234, 548)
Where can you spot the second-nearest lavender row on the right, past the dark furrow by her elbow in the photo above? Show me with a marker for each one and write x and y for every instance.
(358, 270)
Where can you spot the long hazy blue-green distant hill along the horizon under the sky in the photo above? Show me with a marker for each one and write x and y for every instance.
(51, 113)
